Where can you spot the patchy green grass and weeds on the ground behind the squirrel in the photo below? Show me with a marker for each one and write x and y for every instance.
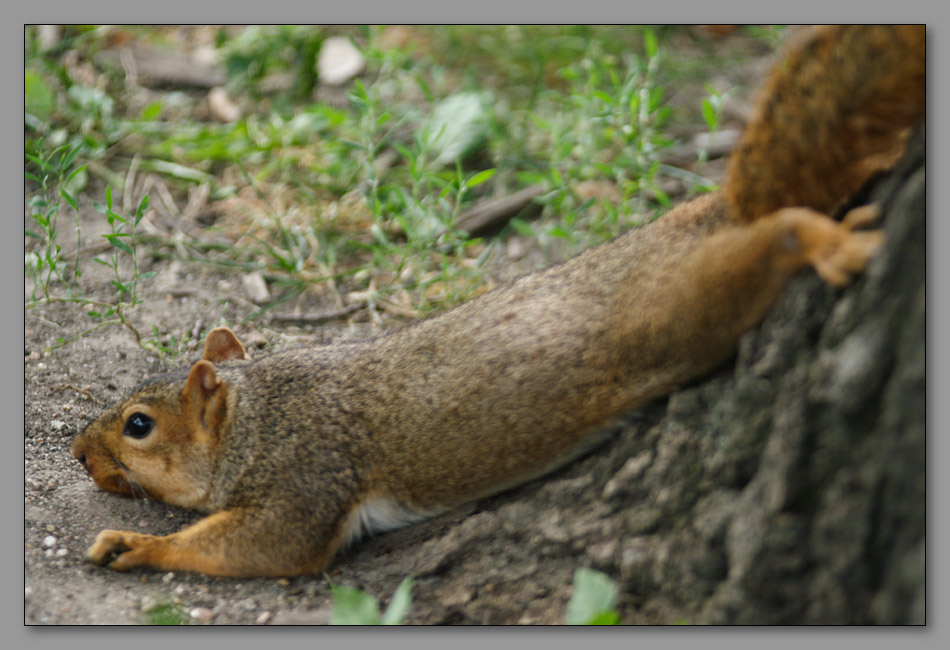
(361, 197)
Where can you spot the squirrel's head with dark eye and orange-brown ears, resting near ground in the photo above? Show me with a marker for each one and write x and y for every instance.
(161, 440)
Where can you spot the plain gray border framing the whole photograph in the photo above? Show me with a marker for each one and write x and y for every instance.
(492, 11)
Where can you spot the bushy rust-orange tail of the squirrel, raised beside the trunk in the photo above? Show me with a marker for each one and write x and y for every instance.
(836, 110)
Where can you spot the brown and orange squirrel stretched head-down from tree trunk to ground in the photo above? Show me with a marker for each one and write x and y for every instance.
(294, 454)
